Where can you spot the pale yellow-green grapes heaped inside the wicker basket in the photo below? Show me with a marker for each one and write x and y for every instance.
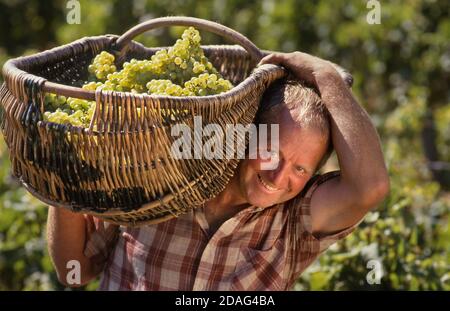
(181, 70)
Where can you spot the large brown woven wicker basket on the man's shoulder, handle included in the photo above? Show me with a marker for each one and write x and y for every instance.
(121, 168)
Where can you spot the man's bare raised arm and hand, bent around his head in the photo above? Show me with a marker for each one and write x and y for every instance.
(341, 202)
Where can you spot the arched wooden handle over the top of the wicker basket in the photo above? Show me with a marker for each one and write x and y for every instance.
(214, 27)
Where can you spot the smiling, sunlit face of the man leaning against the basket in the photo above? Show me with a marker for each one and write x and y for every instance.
(300, 151)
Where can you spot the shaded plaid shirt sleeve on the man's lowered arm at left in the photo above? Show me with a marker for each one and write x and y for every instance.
(100, 242)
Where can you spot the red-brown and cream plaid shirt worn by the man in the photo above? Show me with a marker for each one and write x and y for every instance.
(257, 249)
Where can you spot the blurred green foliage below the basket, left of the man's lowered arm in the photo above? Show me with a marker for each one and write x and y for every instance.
(24, 263)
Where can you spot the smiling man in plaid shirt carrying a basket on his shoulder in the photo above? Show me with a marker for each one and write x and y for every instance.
(267, 226)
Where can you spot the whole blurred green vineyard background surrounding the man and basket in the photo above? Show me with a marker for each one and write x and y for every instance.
(401, 69)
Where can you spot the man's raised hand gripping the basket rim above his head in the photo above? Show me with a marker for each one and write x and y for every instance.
(307, 67)
